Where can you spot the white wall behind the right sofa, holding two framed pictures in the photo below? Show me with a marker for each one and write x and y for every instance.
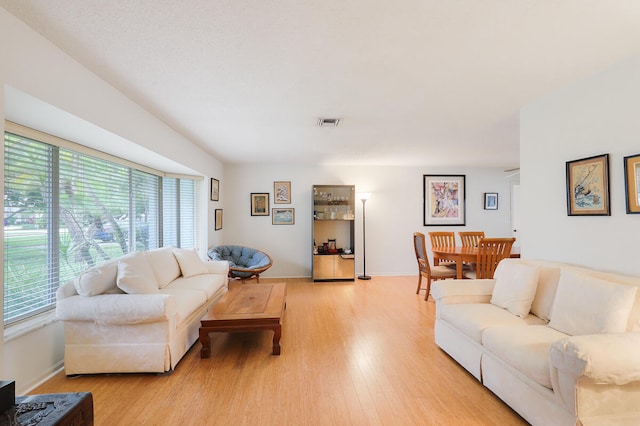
(596, 116)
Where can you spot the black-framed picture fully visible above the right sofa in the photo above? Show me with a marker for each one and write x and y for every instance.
(588, 186)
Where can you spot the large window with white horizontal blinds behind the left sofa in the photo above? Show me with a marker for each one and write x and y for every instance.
(65, 211)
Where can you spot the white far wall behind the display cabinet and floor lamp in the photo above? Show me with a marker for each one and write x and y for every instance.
(394, 212)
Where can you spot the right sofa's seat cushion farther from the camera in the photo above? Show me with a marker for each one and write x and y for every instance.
(472, 319)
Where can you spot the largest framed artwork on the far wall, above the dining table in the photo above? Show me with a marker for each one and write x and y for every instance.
(444, 200)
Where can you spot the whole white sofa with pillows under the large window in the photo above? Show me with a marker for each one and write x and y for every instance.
(138, 313)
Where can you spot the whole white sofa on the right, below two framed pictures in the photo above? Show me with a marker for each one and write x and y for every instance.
(560, 344)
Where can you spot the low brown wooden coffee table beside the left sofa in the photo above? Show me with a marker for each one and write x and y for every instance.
(246, 307)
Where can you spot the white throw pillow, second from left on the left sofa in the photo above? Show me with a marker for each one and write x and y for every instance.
(135, 275)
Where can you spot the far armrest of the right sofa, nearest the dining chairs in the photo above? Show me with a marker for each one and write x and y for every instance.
(462, 291)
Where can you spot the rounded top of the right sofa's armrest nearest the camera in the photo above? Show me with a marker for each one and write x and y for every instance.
(603, 358)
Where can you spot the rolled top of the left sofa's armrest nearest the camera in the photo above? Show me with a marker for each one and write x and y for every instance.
(118, 308)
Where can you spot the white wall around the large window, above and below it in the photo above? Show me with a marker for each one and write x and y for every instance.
(54, 85)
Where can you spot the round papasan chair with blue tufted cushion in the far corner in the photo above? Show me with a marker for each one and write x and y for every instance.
(244, 262)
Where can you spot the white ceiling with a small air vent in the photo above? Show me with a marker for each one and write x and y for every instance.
(417, 82)
